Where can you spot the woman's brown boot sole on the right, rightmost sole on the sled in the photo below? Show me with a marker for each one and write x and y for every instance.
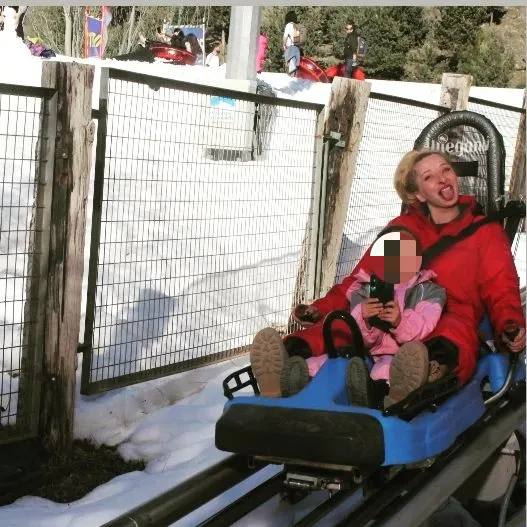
(408, 371)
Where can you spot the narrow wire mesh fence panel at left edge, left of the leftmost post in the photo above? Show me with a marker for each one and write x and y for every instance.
(20, 127)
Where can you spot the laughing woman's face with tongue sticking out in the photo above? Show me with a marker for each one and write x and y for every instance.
(437, 183)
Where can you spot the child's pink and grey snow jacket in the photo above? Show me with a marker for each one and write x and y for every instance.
(421, 302)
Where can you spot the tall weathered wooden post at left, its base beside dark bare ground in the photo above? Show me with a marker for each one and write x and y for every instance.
(72, 163)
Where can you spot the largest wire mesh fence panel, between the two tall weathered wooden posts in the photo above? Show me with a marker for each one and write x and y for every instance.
(201, 237)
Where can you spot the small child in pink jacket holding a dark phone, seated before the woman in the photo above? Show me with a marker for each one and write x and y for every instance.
(412, 315)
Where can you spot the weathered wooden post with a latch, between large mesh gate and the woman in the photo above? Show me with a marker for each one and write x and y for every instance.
(346, 114)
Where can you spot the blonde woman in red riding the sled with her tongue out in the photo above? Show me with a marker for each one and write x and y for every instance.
(478, 274)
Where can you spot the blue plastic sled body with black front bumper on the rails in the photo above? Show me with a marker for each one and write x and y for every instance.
(321, 425)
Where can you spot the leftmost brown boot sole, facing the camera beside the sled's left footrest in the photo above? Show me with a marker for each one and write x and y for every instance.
(268, 356)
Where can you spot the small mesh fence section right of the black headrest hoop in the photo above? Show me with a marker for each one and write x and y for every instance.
(506, 119)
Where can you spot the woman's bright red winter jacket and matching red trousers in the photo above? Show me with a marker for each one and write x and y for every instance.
(478, 274)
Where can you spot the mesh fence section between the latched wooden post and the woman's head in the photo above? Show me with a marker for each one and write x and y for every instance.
(391, 127)
